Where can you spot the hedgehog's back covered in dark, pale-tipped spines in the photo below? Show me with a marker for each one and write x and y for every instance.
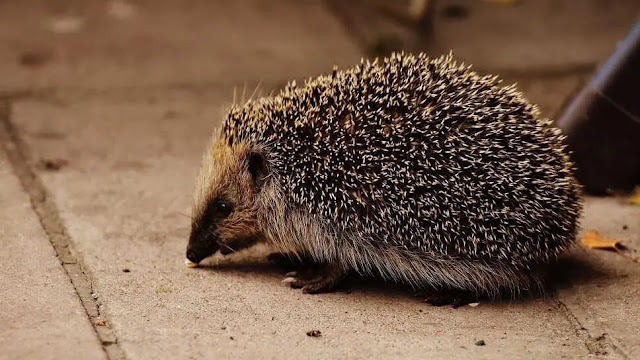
(419, 153)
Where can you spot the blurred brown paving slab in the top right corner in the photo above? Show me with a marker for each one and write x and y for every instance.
(535, 36)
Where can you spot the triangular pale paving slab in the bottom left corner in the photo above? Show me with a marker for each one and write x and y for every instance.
(40, 313)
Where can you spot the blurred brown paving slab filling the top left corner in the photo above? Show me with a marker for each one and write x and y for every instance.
(76, 43)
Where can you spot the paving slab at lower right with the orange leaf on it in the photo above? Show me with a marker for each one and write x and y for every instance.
(603, 290)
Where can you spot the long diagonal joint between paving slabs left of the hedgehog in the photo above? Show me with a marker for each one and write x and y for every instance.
(44, 206)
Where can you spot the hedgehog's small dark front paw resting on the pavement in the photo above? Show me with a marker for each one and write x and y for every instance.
(321, 279)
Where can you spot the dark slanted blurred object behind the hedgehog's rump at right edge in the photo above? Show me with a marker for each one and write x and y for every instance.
(603, 122)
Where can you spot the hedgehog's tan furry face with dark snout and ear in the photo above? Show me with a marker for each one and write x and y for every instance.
(225, 211)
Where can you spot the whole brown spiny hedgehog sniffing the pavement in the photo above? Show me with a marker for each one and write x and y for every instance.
(417, 170)
